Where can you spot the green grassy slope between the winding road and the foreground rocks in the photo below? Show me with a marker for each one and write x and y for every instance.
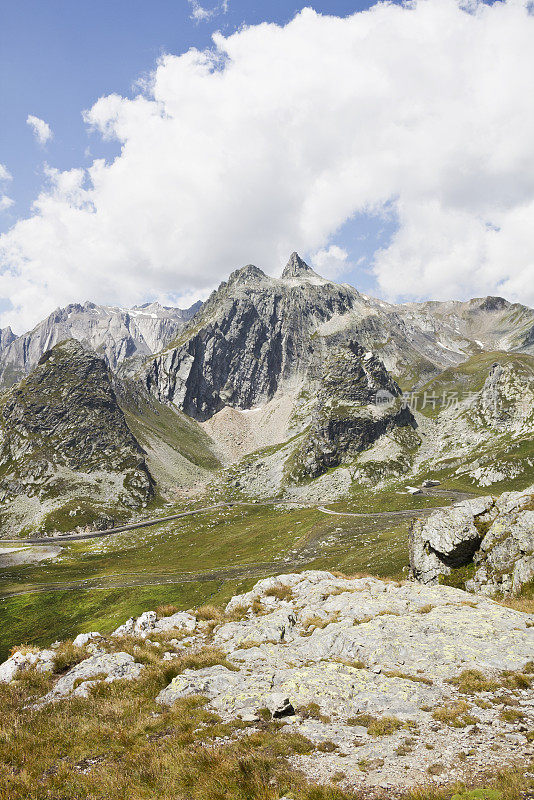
(224, 540)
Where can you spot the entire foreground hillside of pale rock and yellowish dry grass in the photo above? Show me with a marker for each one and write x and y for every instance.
(310, 685)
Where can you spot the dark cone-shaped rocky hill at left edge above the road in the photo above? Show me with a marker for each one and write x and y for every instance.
(65, 444)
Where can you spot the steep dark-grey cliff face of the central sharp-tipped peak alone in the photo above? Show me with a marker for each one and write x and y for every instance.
(253, 334)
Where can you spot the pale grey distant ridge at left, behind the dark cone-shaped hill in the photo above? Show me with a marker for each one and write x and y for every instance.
(116, 334)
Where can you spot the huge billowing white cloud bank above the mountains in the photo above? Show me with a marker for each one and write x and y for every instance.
(277, 136)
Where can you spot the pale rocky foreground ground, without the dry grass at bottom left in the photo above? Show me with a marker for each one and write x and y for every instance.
(392, 684)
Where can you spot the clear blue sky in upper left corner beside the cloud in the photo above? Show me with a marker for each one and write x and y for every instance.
(57, 57)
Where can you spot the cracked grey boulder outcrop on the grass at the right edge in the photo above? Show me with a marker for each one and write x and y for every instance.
(495, 535)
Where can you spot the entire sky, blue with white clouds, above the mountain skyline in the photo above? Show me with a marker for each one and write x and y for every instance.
(147, 149)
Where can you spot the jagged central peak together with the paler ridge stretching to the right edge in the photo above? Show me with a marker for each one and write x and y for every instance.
(257, 335)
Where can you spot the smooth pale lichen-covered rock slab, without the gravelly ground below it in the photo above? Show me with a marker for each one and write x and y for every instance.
(298, 648)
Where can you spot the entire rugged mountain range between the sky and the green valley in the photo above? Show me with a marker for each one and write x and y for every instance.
(293, 387)
